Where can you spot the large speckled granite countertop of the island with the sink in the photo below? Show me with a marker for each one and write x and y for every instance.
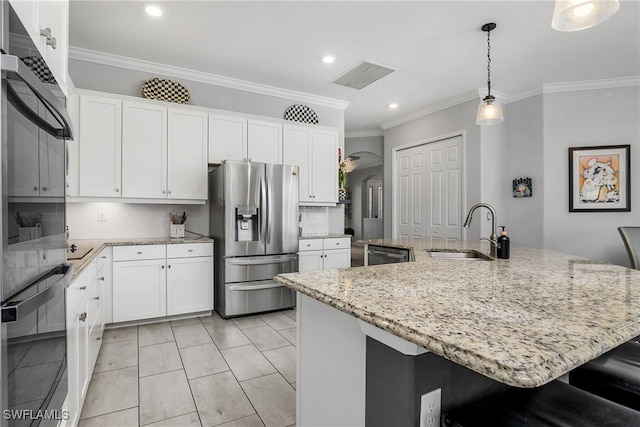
(523, 321)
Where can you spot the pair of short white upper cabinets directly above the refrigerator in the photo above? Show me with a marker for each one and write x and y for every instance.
(241, 138)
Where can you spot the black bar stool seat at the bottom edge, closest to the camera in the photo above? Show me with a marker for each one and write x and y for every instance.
(554, 404)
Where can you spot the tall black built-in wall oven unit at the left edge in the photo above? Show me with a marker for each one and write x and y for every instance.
(34, 126)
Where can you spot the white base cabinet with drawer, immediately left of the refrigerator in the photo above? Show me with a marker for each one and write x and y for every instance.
(189, 278)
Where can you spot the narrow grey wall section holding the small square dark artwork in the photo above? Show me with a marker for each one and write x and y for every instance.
(524, 149)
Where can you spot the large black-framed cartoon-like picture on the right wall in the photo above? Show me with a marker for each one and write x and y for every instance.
(599, 179)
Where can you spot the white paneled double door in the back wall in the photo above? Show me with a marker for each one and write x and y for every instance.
(428, 188)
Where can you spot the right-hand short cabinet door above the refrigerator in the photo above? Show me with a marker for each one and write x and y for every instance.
(264, 143)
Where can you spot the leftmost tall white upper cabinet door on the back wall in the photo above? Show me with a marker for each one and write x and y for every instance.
(100, 146)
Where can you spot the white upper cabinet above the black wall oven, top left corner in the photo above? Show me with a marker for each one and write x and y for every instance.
(47, 22)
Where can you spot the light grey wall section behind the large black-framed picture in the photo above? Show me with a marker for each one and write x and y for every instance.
(588, 118)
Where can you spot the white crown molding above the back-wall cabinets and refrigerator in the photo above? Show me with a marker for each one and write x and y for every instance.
(103, 58)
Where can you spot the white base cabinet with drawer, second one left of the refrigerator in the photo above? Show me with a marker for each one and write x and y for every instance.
(139, 282)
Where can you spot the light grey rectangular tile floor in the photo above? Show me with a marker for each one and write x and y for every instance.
(204, 371)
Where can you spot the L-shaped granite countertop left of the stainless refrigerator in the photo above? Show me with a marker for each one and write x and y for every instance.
(99, 244)
